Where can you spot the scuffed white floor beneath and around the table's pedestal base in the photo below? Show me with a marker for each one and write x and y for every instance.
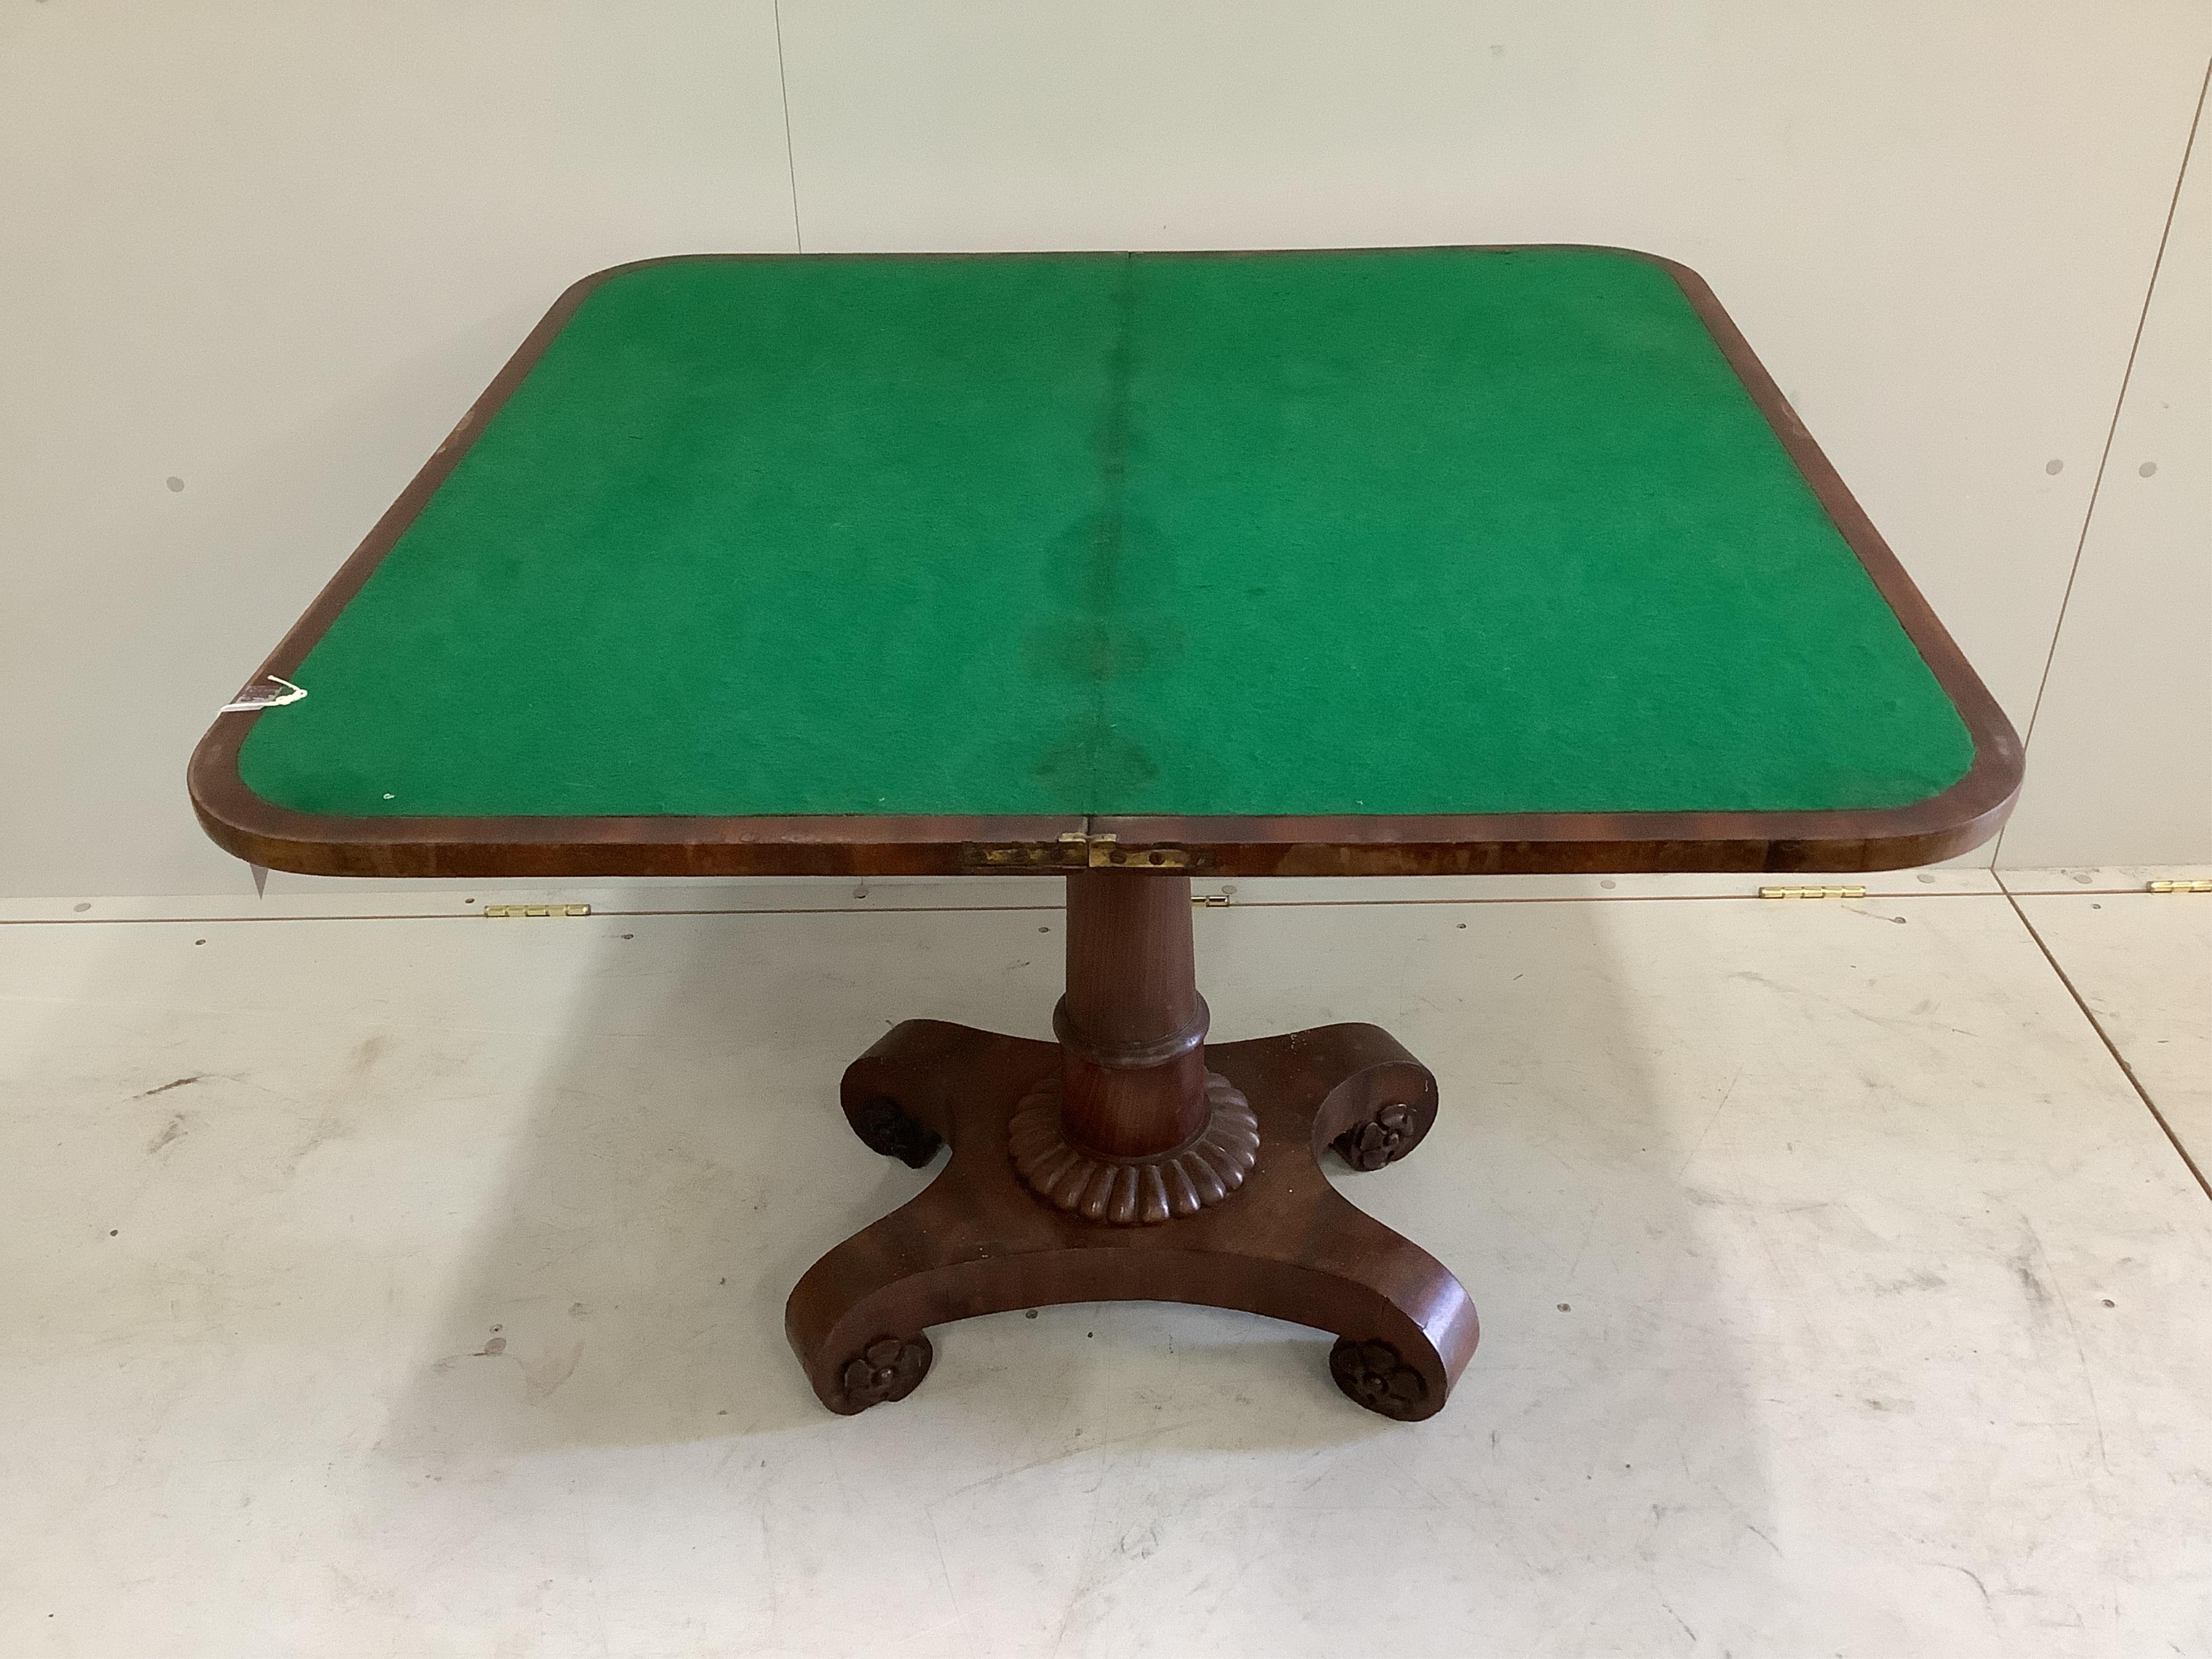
(415, 1288)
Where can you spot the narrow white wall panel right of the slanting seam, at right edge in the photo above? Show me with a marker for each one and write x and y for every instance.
(2120, 764)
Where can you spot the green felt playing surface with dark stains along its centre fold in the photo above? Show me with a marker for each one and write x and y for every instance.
(1275, 534)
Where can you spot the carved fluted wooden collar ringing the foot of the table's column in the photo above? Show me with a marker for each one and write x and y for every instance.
(1138, 1191)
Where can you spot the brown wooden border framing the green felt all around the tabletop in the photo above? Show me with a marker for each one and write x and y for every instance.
(1941, 826)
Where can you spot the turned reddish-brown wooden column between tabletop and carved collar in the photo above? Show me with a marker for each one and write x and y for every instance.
(1131, 1025)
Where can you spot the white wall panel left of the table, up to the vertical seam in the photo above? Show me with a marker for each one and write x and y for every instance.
(273, 251)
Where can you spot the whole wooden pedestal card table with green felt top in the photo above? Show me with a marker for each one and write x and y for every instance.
(1123, 570)
